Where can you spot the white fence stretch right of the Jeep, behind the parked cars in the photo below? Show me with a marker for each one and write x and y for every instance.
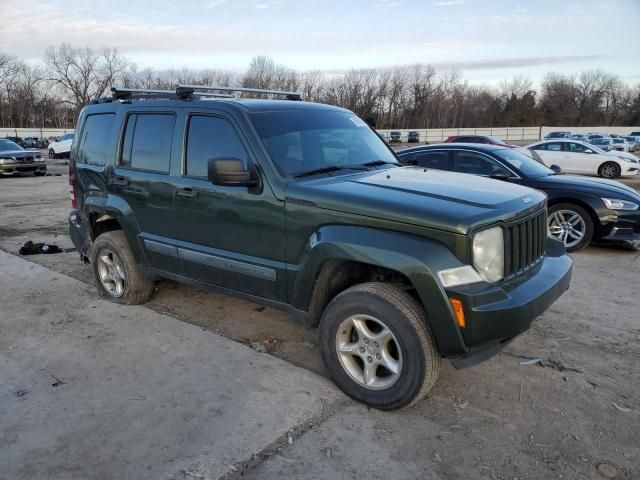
(508, 134)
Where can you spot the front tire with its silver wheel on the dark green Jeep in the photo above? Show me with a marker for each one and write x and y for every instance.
(410, 346)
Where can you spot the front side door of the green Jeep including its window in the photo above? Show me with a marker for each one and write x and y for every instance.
(232, 237)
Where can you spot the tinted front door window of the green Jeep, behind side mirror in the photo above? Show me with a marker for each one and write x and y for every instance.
(211, 137)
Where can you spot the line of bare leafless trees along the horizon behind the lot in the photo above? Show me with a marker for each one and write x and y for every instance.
(51, 93)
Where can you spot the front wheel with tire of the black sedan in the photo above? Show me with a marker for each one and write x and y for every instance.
(563, 215)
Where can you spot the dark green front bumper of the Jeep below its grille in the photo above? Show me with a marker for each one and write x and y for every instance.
(497, 313)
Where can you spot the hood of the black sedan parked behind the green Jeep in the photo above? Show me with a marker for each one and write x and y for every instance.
(598, 186)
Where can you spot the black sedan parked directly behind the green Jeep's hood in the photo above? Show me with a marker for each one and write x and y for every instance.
(581, 209)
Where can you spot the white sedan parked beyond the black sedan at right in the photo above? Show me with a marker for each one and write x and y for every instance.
(574, 156)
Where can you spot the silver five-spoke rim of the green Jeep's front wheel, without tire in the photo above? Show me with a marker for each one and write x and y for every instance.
(369, 352)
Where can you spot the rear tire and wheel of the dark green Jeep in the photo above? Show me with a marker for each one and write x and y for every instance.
(119, 279)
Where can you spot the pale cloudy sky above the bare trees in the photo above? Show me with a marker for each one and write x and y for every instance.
(488, 40)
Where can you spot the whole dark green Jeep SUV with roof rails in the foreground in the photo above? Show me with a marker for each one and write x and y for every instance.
(301, 206)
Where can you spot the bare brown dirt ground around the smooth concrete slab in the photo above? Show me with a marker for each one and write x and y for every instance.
(509, 418)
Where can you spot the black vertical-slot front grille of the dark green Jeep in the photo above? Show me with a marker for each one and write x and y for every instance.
(525, 243)
